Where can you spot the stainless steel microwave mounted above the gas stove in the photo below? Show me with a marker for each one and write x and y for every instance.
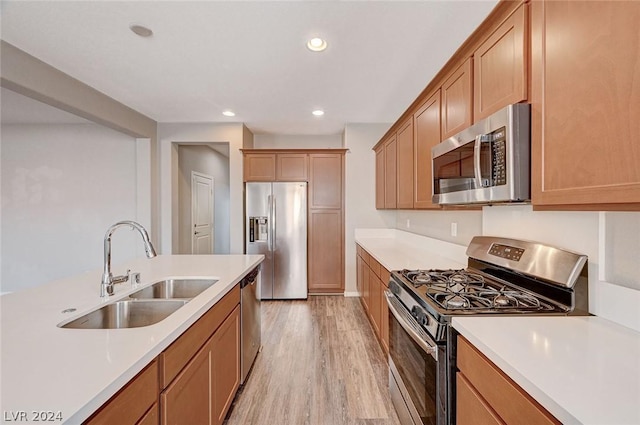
(487, 163)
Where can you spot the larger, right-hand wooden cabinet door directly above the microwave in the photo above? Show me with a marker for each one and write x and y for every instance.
(500, 66)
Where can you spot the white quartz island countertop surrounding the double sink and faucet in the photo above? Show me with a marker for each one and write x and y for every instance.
(74, 371)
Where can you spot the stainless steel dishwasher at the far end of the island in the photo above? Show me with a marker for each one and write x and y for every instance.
(250, 329)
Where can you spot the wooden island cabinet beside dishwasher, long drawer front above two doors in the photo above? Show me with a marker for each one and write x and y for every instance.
(200, 372)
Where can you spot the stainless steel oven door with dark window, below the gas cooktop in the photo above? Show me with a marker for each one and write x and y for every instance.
(415, 379)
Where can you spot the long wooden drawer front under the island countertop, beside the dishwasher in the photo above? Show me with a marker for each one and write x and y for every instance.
(176, 356)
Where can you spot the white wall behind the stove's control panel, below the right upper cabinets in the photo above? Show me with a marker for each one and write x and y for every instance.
(611, 240)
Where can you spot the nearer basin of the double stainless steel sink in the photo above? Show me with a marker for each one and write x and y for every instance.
(126, 314)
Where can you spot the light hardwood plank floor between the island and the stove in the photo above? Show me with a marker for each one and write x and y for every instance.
(320, 365)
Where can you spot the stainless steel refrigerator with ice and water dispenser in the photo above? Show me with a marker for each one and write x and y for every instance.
(276, 226)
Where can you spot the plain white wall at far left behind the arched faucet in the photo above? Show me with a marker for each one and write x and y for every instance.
(62, 187)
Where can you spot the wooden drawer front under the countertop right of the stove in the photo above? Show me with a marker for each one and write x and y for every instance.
(508, 400)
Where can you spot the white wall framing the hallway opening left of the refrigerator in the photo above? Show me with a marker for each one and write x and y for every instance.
(170, 135)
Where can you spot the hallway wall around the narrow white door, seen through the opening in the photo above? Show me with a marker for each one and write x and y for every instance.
(203, 159)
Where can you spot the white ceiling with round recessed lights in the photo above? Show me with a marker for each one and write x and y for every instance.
(249, 56)
